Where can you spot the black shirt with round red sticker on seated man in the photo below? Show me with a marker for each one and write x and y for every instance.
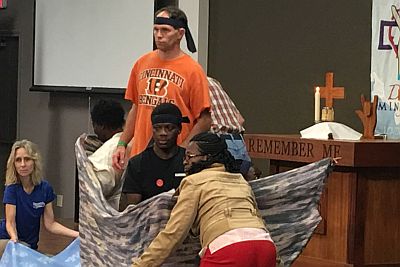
(149, 175)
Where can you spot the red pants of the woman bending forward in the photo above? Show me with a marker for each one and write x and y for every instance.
(254, 253)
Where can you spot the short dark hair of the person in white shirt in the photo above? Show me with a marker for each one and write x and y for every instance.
(108, 113)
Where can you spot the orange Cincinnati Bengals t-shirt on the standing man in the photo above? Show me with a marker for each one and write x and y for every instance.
(153, 81)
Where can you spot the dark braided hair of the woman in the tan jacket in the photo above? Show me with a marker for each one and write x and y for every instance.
(215, 148)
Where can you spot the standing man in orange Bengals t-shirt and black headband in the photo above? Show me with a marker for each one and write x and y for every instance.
(165, 75)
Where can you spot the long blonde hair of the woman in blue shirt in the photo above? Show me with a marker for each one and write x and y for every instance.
(32, 150)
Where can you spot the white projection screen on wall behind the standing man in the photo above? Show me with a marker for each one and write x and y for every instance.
(89, 43)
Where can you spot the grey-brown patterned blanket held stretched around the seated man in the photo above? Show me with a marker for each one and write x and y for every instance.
(288, 202)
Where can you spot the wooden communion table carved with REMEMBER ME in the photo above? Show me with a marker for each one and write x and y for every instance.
(360, 206)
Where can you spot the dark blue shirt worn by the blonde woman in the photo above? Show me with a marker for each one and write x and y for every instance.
(29, 209)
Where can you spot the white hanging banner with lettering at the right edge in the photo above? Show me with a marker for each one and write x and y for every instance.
(385, 66)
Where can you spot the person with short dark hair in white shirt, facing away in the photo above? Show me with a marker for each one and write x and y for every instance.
(108, 121)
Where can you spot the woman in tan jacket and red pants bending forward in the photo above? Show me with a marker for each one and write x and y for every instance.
(219, 206)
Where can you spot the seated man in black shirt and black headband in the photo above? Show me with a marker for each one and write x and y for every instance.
(159, 168)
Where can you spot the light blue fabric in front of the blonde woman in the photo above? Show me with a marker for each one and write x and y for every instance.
(17, 255)
